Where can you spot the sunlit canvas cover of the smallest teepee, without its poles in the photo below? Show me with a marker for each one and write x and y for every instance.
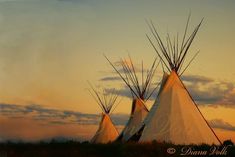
(106, 131)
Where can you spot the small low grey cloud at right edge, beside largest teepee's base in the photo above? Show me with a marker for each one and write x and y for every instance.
(220, 124)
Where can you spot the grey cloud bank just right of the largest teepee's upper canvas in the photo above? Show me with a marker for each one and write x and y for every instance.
(205, 90)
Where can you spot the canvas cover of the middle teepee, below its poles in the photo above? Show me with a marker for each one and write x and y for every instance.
(138, 114)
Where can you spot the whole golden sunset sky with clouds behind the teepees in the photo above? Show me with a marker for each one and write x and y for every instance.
(50, 48)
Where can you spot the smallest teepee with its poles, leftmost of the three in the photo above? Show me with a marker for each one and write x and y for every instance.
(106, 132)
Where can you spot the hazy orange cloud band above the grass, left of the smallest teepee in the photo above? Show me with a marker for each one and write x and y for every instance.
(30, 130)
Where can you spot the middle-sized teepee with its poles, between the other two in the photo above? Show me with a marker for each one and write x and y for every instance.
(141, 91)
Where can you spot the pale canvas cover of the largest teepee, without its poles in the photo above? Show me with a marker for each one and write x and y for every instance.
(176, 118)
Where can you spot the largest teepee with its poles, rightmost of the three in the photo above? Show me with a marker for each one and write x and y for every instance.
(175, 117)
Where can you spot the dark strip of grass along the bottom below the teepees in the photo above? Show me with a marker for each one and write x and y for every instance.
(85, 149)
